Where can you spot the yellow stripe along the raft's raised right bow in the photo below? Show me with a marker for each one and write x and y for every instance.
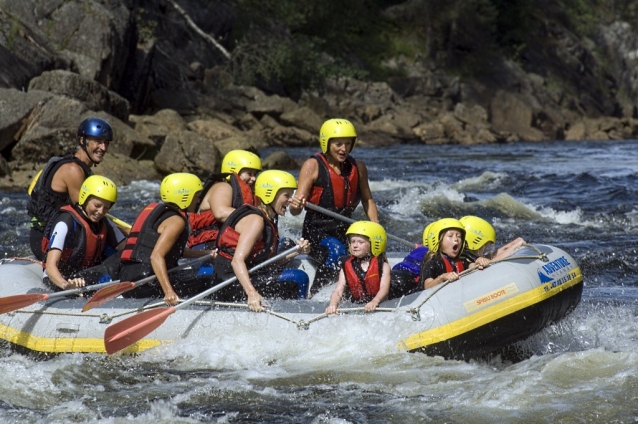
(487, 315)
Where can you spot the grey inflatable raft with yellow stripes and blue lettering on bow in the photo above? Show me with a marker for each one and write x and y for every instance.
(484, 311)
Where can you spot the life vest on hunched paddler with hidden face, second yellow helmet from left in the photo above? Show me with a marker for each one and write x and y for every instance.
(143, 236)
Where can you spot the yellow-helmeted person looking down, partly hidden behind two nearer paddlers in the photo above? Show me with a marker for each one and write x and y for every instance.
(223, 193)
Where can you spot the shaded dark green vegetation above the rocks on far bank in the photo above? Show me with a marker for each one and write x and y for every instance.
(286, 46)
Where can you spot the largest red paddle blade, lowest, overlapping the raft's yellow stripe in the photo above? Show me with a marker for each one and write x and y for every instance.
(130, 330)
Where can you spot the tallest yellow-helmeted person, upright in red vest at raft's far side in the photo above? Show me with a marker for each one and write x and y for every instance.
(335, 181)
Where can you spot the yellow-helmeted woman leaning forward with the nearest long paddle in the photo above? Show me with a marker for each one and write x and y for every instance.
(249, 236)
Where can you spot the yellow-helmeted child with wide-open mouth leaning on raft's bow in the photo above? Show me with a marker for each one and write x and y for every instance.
(444, 261)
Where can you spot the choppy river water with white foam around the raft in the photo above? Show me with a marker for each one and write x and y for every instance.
(580, 197)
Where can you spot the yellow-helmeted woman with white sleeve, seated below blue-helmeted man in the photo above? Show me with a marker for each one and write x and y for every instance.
(81, 237)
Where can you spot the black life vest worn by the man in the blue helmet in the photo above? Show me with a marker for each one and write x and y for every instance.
(44, 203)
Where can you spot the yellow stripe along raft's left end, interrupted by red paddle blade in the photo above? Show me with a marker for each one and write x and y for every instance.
(67, 344)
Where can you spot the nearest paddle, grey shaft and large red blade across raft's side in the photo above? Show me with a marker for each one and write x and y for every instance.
(130, 330)
